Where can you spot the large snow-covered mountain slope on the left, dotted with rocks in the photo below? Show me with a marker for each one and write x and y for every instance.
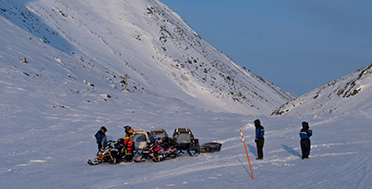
(90, 46)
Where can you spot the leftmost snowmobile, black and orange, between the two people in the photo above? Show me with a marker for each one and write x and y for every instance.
(109, 154)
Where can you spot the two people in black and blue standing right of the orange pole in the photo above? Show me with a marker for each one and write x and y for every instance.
(305, 134)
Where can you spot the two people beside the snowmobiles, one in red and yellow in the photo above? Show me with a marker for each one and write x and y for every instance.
(128, 141)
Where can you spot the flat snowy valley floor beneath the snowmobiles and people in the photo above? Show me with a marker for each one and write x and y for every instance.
(49, 149)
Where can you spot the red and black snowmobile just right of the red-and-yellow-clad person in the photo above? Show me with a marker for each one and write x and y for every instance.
(158, 151)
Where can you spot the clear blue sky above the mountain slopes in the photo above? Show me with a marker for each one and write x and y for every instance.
(298, 45)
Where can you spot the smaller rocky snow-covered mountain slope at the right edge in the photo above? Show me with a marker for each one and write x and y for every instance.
(349, 93)
